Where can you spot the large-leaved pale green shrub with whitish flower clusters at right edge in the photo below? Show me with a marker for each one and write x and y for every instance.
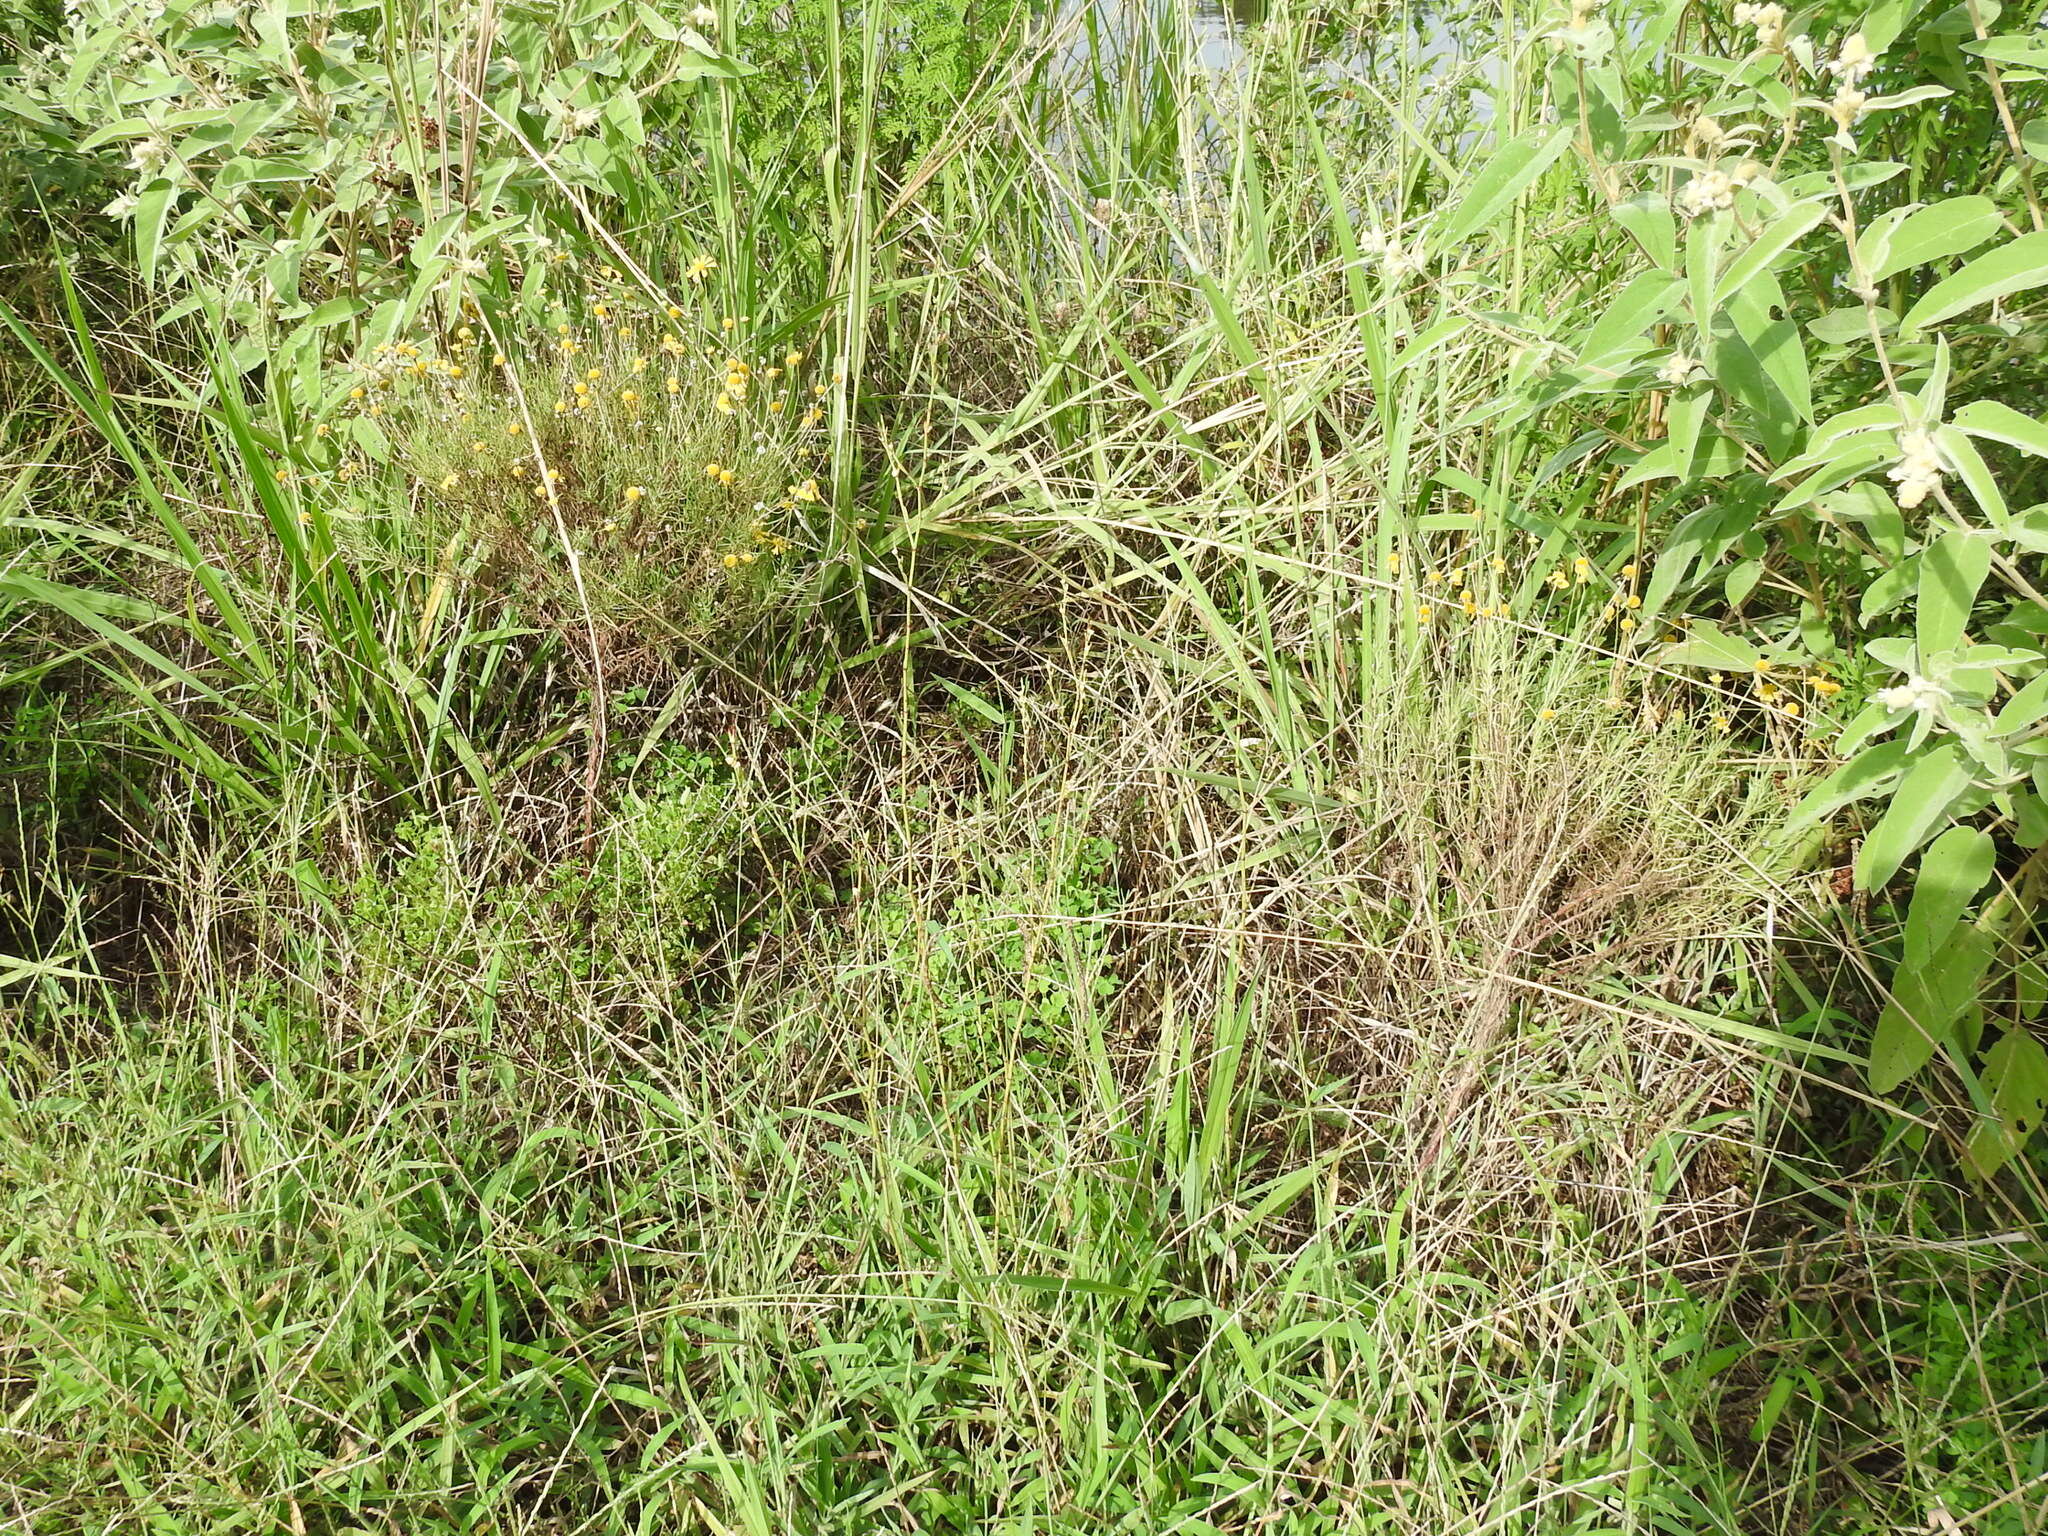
(1820, 380)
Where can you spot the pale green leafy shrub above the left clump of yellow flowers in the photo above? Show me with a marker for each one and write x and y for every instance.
(300, 169)
